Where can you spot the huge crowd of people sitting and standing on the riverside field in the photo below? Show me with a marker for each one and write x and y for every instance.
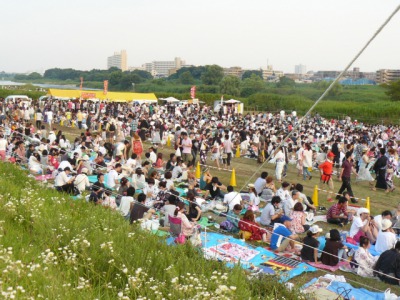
(122, 145)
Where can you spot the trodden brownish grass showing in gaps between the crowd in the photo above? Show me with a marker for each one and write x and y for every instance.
(247, 170)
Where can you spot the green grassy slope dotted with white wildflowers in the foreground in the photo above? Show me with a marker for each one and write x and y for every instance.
(56, 248)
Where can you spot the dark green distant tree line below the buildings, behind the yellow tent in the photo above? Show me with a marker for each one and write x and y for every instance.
(208, 79)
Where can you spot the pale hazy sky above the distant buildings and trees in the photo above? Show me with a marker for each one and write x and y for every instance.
(321, 34)
